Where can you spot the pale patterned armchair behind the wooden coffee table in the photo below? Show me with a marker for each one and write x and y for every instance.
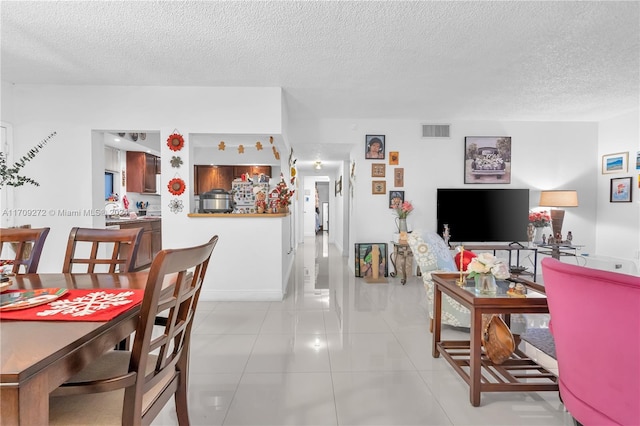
(432, 255)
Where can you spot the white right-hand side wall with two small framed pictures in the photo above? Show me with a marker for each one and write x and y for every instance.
(618, 224)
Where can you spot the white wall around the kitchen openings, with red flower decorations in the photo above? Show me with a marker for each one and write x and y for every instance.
(65, 167)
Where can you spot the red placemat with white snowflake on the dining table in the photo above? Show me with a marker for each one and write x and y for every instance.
(80, 305)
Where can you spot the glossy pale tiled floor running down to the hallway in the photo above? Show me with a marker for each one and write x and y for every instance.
(336, 351)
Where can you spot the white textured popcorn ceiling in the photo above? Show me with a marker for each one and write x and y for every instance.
(428, 61)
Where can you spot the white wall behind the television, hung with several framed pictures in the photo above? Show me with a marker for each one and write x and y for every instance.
(546, 155)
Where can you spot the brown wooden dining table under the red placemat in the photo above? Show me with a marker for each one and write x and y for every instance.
(38, 356)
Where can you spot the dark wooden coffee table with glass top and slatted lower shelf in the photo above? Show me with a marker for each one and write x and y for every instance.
(517, 374)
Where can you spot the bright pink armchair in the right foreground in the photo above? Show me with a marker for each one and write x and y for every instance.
(595, 321)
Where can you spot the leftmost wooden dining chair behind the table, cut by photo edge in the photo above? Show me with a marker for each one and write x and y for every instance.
(27, 244)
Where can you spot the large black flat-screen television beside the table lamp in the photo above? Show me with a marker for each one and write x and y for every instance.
(484, 215)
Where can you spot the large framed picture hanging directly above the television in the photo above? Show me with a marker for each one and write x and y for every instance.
(487, 159)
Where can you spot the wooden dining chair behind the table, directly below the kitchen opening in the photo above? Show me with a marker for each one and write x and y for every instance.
(85, 244)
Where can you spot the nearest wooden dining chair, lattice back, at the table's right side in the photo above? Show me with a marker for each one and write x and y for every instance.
(132, 387)
